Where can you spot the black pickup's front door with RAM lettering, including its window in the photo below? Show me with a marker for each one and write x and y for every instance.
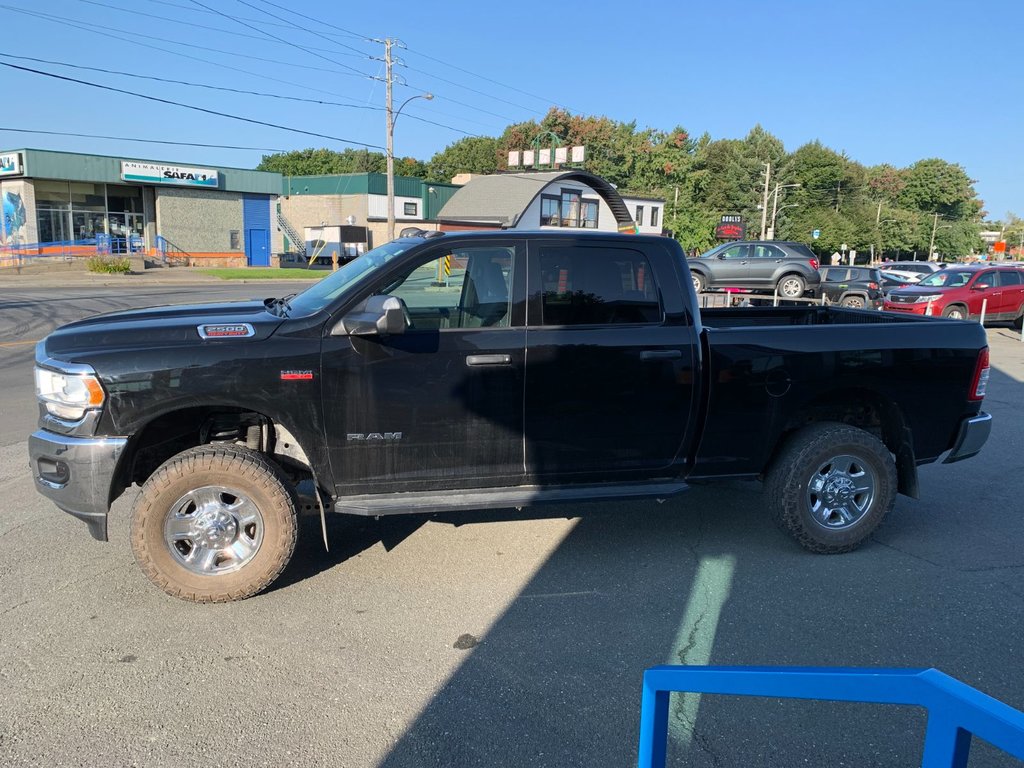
(440, 406)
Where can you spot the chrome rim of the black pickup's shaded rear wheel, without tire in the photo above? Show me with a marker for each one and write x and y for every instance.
(841, 492)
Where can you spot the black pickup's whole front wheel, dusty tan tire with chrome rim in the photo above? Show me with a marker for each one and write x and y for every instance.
(215, 524)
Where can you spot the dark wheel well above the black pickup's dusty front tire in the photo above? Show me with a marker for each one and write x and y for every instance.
(172, 434)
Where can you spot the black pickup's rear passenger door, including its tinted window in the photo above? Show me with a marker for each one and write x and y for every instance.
(610, 374)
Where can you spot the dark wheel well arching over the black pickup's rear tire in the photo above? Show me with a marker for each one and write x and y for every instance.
(868, 411)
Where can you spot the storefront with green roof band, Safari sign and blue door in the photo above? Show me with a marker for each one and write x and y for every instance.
(59, 203)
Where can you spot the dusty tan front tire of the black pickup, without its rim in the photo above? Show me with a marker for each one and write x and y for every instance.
(232, 467)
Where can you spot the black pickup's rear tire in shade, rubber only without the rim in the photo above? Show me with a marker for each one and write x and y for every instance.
(798, 464)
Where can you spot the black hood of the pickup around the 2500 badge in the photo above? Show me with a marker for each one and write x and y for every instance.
(231, 322)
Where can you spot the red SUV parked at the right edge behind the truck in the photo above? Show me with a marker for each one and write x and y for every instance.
(960, 292)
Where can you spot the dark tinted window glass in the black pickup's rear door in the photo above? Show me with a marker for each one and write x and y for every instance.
(596, 286)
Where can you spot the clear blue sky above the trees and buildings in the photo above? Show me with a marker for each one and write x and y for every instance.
(891, 82)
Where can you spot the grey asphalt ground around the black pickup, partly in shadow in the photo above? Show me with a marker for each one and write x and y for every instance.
(495, 639)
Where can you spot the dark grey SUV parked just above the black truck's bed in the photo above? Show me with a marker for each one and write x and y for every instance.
(790, 269)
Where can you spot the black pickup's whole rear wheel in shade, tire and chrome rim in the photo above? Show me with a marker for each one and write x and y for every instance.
(831, 487)
